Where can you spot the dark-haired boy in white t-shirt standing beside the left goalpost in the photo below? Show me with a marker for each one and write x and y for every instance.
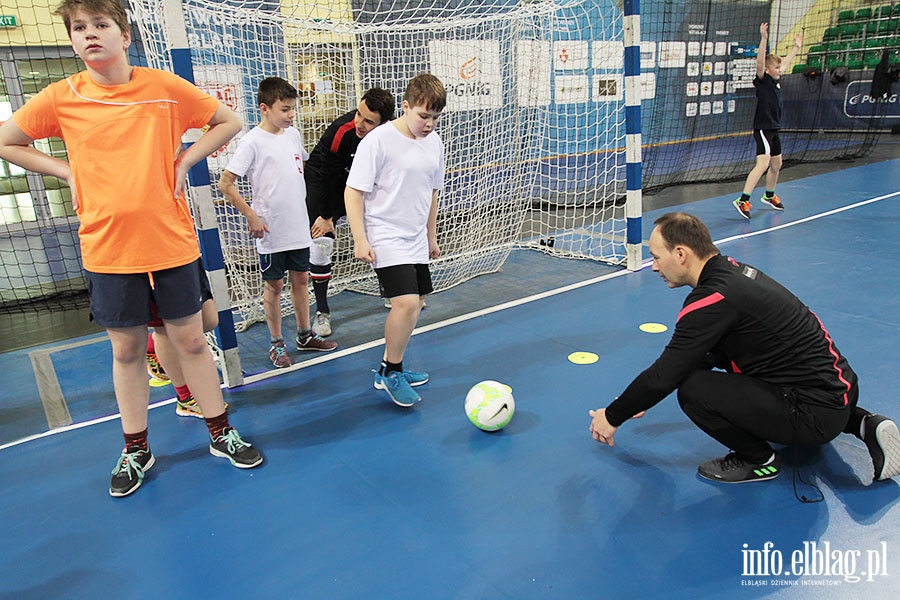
(271, 155)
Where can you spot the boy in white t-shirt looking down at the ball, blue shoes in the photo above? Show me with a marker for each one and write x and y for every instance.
(391, 201)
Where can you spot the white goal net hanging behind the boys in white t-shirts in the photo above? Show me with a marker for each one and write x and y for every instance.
(534, 126)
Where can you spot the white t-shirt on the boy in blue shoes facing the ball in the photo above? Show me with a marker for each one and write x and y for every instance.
(398, 176)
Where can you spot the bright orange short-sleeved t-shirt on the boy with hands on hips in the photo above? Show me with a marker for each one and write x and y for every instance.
(122, 142)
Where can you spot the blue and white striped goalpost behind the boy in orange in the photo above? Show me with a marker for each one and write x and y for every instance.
(204, 209)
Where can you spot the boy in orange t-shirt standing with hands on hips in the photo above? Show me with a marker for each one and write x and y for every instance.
(123, 127)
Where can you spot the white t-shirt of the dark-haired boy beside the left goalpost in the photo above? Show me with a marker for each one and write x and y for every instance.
(274, 165)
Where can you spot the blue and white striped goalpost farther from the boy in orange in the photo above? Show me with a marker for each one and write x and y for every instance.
(632, 38)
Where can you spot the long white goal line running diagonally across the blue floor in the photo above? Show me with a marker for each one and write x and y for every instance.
(460, 319)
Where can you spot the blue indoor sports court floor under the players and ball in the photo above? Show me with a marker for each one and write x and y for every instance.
(361, 499)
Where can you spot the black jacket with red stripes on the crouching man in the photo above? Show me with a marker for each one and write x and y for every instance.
(741, 320)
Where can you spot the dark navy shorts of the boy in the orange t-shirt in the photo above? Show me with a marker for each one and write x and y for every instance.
(133, 299)
